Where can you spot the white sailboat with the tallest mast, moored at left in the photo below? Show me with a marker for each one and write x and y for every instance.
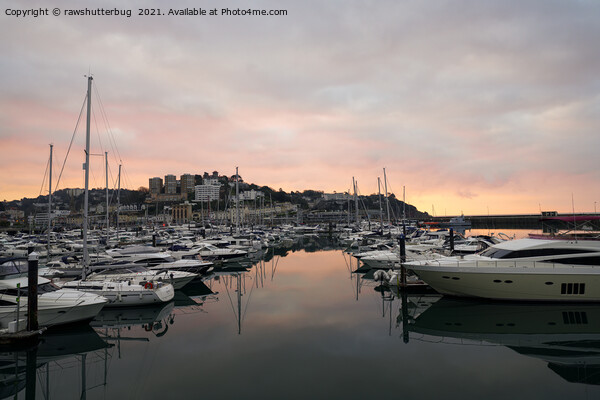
(118, 293)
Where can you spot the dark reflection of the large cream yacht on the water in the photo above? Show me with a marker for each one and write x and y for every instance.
(565, 336)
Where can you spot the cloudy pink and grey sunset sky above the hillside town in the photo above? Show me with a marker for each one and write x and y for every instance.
(474, 107)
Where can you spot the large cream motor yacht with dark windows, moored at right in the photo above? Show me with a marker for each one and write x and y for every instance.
(524, 269)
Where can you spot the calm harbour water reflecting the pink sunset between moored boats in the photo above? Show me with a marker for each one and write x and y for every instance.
(302, 326)
